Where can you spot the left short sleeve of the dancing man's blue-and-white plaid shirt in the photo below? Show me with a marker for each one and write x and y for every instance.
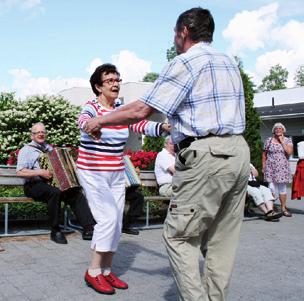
(171, 87)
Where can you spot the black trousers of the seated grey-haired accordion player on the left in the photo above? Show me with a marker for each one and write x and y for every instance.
(52, 196)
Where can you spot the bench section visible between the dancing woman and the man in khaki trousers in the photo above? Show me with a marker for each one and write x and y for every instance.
(148, 180)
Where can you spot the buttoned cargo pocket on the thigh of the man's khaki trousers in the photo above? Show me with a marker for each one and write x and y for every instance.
(182, 221)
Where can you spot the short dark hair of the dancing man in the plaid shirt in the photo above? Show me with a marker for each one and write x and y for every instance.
(199, 23)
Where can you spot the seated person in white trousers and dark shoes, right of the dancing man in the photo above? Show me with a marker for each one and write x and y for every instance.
(262, 196)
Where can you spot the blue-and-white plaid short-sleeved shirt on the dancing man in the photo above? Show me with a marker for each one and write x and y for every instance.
(200, 92)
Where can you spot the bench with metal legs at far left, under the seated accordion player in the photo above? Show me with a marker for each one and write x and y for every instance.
(8, 178)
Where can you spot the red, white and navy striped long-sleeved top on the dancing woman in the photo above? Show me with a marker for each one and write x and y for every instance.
(107, 153)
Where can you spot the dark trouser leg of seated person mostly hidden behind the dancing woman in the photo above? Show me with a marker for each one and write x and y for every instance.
(136, 200)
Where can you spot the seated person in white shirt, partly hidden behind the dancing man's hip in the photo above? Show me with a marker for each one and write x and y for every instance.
(164, 168)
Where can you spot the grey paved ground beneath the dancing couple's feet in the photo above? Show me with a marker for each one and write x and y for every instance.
(269, 265)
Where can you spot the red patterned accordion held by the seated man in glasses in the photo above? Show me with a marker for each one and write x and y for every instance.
(61, 164)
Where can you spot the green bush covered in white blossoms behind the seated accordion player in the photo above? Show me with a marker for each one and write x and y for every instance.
(58, 115)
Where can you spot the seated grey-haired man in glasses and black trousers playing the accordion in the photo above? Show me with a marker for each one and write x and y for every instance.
(36, 187)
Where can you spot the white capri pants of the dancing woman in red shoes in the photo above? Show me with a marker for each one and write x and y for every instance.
(105, 192)
